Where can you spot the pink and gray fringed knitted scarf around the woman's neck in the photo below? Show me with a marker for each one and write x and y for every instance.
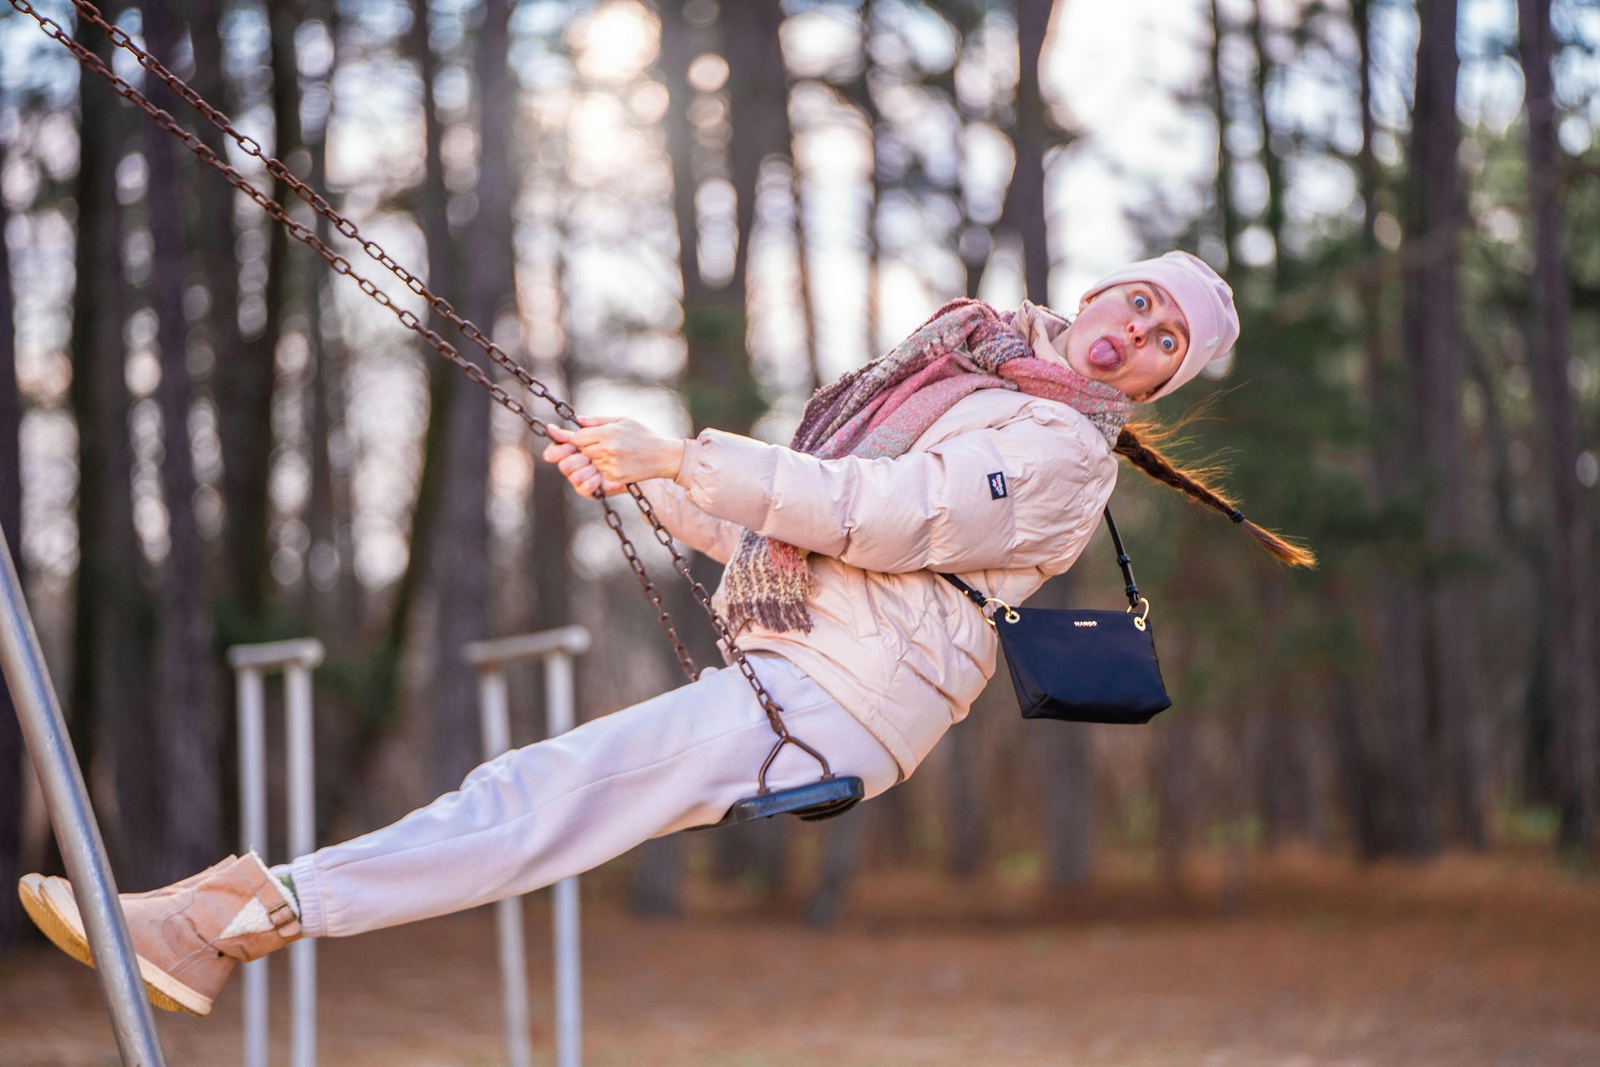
(881, 410)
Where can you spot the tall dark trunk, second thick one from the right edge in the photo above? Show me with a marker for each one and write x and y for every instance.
(1433, 334)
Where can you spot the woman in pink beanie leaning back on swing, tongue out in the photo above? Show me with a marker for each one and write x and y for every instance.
(983, 446)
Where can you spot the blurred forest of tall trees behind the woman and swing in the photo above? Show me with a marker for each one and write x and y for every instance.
(695, 214)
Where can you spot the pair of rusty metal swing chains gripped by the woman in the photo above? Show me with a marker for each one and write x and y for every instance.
(409, 319)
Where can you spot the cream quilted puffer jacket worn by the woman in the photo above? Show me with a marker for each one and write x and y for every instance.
(1002, 490)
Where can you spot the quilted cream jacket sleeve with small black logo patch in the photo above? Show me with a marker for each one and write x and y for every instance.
(1012, 497)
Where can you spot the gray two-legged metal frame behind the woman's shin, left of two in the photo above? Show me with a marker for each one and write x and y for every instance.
(252, 661)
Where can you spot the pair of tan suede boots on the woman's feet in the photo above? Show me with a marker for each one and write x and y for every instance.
(190, 935)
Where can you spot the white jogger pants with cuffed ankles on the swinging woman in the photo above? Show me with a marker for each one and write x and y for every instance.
(558, 809)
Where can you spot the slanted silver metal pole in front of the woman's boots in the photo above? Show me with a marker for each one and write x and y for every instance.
(82, 850)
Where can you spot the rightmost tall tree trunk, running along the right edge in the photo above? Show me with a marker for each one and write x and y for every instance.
(1572, 610)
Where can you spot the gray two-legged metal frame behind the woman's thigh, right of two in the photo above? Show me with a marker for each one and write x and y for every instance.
(490, 658)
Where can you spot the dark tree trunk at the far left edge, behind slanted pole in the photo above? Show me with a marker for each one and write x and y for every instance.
(12, 753)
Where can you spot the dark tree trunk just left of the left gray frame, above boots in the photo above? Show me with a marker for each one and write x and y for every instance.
(186, 717)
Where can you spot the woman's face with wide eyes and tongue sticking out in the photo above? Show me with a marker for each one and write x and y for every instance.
(1130, 337)
